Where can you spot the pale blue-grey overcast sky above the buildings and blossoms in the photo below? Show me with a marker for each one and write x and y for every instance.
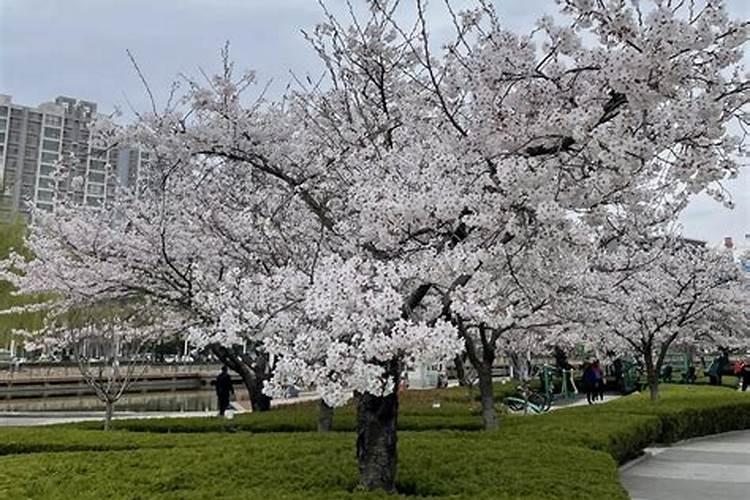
(77, 48)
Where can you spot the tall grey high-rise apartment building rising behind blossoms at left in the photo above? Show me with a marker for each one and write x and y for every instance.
(33, 140)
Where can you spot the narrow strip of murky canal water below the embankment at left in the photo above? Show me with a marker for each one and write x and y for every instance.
(152, 401)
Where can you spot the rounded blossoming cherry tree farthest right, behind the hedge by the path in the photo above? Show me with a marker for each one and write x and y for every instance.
(664, 292)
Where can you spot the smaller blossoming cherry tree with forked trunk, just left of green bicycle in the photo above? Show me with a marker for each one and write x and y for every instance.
(519, 305)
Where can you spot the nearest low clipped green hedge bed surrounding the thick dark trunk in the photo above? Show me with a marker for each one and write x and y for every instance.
(296, 466)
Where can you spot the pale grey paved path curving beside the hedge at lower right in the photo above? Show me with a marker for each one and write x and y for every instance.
(714, 467)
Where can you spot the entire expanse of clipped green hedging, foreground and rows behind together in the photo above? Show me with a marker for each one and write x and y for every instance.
(570, 453)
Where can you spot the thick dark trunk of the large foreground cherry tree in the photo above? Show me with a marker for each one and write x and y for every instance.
(377, 418)
